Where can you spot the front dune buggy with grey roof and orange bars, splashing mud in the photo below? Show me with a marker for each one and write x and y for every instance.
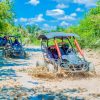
(64, 53)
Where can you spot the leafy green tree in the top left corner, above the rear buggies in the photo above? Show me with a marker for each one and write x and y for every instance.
(6, 17)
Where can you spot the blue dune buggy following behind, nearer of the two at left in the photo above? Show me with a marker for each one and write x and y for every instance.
(14, 48)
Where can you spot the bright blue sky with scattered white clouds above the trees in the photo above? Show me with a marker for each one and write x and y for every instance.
(48, 14)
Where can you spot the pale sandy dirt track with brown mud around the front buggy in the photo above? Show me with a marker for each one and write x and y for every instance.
(79, 86)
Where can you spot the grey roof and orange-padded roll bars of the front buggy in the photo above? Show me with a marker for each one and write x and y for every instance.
(62, 37)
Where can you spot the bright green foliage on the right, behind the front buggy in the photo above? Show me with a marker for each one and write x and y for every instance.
(89, 28)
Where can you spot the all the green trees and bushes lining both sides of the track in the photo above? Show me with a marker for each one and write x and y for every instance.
(88, 29)
